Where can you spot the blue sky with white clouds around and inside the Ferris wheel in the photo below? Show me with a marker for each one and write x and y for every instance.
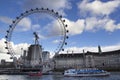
(90, 23)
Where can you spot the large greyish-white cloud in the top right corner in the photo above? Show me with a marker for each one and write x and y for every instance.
(98, 7)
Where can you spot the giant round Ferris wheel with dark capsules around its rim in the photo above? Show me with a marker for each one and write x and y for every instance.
(46, 23)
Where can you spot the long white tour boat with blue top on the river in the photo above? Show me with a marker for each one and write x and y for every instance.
(86, 72)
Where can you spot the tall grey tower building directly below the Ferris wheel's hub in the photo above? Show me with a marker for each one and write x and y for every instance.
(34, 56)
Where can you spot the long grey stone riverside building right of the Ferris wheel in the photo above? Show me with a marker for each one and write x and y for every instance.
(106, 60)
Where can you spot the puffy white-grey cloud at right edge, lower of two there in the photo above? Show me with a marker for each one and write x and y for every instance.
(94, 24)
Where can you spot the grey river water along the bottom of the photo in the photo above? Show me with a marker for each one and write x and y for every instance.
(113, 76)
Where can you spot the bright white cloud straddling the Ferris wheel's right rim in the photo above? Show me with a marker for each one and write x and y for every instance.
(74, 27)
